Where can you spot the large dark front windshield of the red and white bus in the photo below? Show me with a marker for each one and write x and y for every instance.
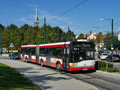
(82, 51)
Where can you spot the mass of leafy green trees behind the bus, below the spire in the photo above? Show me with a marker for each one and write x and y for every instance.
(32, 35)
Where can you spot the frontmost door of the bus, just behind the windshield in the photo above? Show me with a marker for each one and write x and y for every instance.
(66, 58)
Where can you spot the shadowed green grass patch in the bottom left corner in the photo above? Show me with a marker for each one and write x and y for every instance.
(11, 79)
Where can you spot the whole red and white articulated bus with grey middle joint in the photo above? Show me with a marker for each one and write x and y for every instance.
(68, 56)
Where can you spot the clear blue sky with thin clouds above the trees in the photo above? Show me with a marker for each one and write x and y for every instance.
(82, 19)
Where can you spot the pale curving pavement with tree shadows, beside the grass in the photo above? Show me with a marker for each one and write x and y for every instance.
(48, 79)
